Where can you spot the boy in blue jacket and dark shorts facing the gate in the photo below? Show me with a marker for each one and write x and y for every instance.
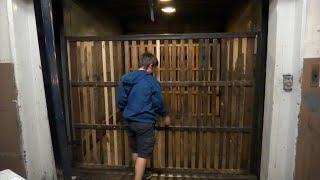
(140, 101)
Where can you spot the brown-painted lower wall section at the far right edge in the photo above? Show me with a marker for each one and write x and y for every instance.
(308, 146)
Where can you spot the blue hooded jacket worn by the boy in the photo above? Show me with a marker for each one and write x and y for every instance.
(139, 97)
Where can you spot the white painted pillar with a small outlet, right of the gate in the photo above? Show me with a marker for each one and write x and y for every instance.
(281, 115)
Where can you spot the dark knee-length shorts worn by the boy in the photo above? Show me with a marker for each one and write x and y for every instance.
(141, 138)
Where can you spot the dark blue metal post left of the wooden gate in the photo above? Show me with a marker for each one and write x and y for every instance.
(50, 67)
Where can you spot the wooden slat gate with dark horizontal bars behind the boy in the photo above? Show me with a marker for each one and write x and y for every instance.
(208, 84)
